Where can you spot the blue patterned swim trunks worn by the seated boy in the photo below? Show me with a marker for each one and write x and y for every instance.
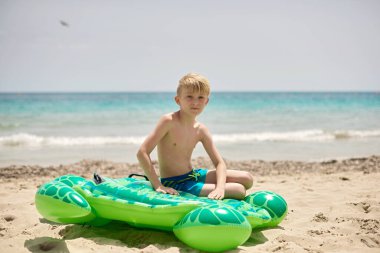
(191, 182)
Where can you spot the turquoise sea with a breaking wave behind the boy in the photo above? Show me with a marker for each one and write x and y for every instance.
(55, 128)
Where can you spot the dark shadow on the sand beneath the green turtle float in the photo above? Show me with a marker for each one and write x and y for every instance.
(118, 234)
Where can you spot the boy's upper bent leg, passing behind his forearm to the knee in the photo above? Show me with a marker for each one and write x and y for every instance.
(232, 176)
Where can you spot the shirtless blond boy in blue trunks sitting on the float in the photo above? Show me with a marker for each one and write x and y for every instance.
(176, 136)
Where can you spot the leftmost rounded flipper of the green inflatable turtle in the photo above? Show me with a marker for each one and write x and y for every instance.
(57, 201)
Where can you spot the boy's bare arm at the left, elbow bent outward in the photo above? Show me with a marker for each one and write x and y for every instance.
(147, 147)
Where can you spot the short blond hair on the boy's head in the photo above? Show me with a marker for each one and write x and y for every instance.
(195, 83)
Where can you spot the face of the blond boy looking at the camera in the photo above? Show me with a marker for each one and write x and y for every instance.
(192, 102)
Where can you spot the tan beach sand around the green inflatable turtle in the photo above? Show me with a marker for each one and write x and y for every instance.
(334, 206)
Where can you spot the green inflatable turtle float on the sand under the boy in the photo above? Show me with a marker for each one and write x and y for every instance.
(201, 223)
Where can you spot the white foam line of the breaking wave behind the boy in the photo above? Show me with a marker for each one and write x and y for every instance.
(25, 139)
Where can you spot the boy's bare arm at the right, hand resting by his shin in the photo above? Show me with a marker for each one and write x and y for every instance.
(218, 162)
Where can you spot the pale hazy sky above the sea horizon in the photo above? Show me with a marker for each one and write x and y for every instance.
(94, 46)
